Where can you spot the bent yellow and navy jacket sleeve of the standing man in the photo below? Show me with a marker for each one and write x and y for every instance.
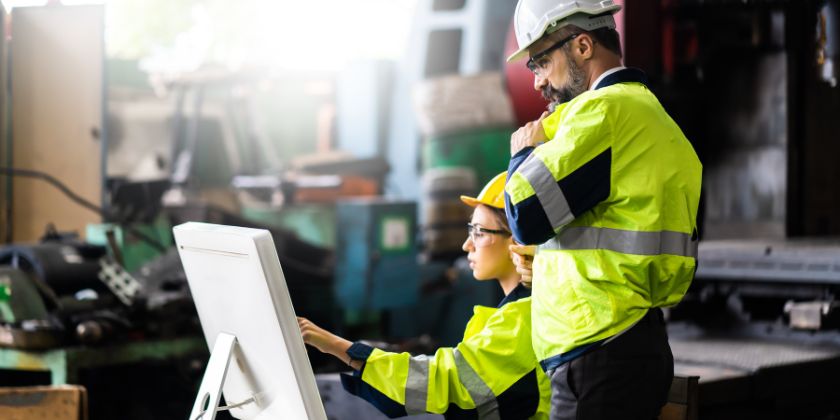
(550, 185)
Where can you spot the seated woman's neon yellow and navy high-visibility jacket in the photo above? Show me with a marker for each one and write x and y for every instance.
(492, 374)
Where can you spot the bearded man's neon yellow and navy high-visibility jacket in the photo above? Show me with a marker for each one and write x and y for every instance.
(611, 200)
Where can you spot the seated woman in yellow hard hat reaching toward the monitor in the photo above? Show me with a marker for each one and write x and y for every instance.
(492, 373)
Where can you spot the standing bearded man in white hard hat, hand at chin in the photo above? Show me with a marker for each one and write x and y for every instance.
(608, 187)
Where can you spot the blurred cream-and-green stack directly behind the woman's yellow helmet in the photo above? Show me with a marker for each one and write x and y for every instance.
(466, 123)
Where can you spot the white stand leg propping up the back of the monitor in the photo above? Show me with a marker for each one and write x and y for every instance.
(210, 392)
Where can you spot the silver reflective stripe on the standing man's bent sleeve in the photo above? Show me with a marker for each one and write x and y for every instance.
(551, 197)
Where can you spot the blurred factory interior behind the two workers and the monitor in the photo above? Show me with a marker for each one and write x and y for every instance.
(349, 129)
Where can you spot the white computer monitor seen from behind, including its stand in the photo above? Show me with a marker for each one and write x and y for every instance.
(258, 356)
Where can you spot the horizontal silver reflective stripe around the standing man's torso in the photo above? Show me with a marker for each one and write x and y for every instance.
(624, 241)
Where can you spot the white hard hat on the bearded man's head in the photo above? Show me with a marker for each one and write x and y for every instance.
(535, 18)
